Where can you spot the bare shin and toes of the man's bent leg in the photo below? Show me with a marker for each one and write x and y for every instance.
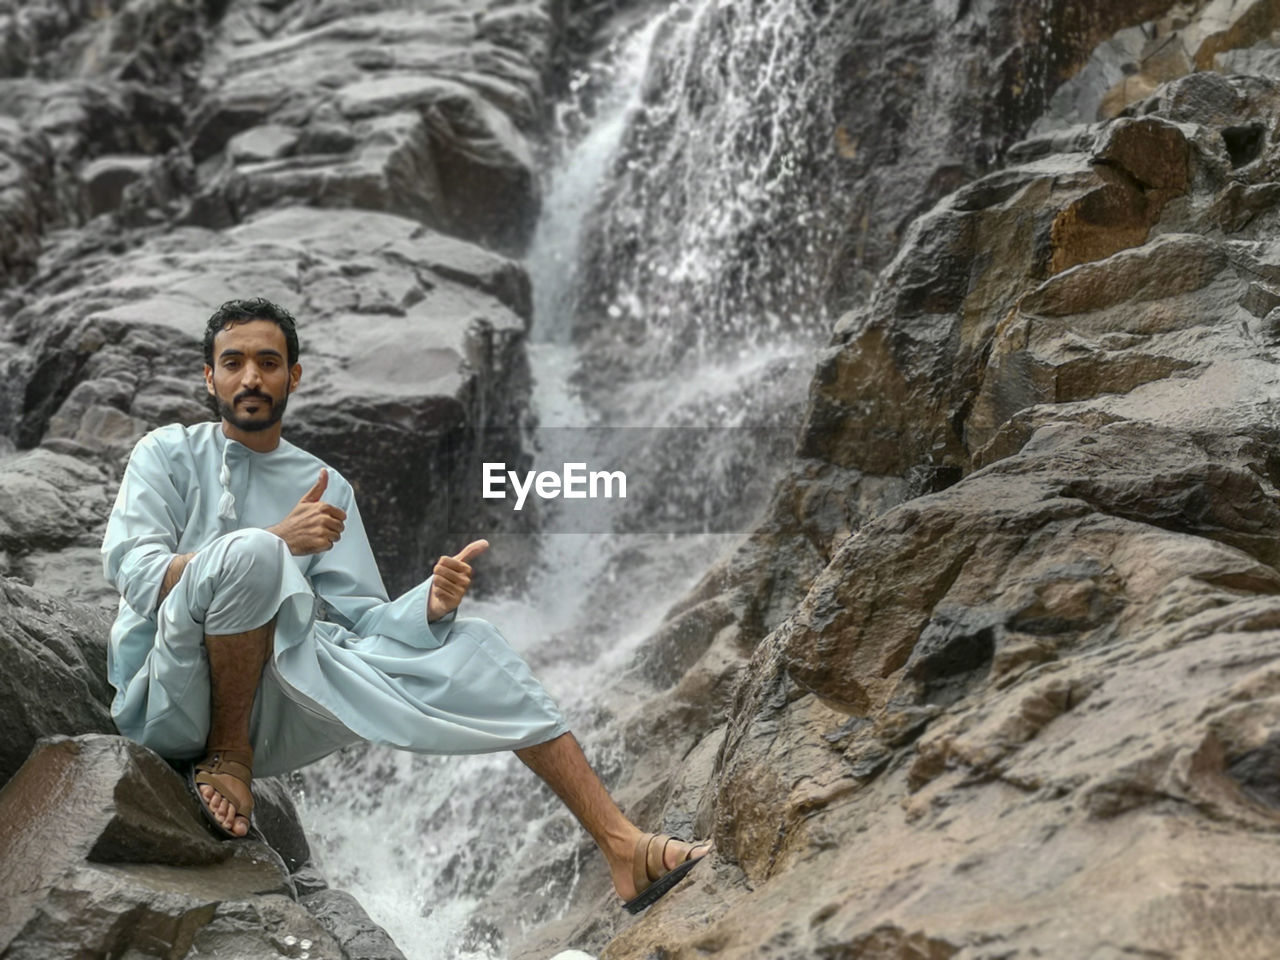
(236, 664)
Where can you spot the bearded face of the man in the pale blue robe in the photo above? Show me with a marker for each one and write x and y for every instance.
(250, 380)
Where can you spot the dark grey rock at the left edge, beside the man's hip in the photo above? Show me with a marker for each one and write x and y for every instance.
(53, 671)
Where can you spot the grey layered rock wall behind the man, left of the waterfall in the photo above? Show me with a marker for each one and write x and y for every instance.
(356, 164)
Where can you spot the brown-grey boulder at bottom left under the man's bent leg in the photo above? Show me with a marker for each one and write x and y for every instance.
(103, 852)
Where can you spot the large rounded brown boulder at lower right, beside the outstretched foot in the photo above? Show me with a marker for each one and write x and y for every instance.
(995, 662)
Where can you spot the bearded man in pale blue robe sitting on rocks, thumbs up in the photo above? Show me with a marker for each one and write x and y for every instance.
(255, 636)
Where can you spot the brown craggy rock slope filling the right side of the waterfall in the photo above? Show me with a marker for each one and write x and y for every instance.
(1013, 691)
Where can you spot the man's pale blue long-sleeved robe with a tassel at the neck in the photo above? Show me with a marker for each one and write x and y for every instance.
(344, 651)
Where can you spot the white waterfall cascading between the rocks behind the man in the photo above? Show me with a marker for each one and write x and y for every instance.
(675, 253)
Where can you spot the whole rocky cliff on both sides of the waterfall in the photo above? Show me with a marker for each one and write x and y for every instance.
(996, 676)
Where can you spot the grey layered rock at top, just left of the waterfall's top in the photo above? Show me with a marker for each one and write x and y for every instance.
(435, 134)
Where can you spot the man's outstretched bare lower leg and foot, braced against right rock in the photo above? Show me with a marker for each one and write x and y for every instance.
(564, 769)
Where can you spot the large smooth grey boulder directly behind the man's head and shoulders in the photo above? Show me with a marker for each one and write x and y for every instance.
(102, 363)
